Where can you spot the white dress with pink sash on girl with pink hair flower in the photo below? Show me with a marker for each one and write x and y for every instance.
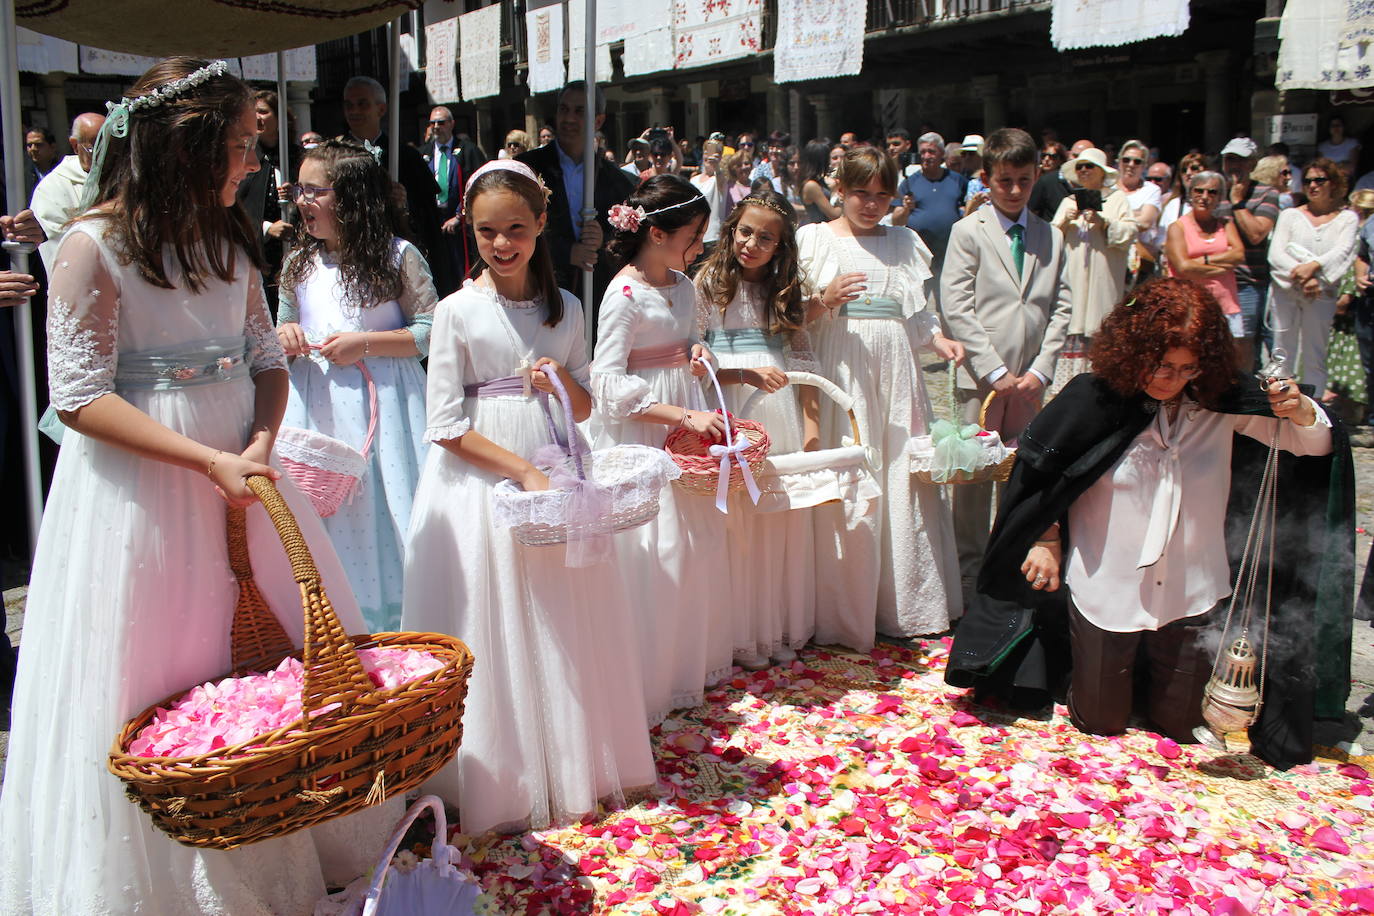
(677, 568)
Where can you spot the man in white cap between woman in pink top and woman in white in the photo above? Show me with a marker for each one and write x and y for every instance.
(1254, 208)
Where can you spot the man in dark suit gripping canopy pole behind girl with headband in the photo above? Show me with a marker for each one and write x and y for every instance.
(578, 247)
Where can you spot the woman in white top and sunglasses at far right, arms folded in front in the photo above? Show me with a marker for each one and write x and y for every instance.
(1311, 251)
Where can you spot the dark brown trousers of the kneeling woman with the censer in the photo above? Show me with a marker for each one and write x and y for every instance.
(1101, 690)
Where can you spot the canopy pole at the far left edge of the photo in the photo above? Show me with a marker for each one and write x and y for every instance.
(16, 201)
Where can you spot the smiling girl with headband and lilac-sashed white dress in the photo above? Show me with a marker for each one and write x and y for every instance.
(556, 716)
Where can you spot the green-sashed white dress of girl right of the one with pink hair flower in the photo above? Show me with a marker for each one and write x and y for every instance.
(772, 554)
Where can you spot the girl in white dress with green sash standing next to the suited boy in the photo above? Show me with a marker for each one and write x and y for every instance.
(875, 281)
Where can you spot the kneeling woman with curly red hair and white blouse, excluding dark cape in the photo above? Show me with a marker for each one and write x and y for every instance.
(1144, 549)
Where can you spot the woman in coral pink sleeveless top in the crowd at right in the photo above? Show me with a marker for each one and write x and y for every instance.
(1206, 249)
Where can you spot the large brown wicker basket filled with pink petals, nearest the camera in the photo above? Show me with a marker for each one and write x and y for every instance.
(373, 744)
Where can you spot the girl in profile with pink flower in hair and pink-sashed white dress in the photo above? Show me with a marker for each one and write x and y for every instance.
(648, 355)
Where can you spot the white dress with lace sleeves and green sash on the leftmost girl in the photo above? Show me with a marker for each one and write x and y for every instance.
(133, 598)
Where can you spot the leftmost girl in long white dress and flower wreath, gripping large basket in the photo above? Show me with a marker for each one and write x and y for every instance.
(171, 382)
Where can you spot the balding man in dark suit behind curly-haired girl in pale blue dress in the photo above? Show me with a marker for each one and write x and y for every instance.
(365, 106)
